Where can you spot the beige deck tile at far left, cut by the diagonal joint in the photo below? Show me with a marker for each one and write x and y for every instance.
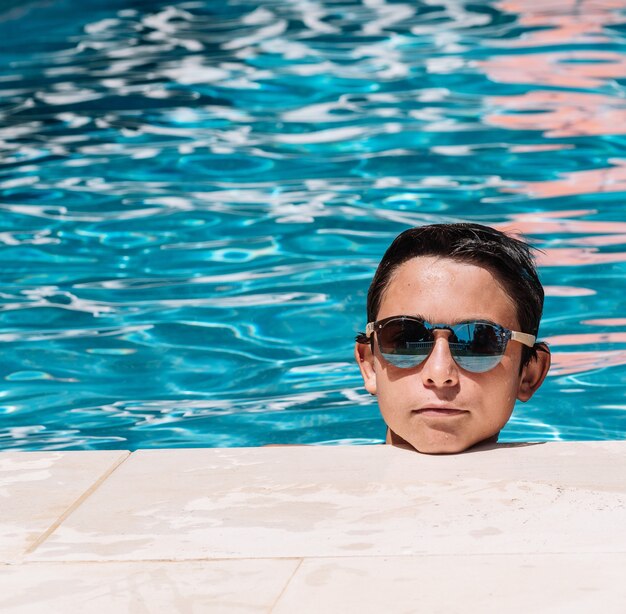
(38, 489)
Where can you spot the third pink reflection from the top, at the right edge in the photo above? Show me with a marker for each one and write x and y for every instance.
(560, 114)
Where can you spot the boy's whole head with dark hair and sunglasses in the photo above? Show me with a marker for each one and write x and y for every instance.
(445, 388)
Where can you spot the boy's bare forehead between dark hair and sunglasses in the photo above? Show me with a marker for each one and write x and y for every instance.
(445, 290)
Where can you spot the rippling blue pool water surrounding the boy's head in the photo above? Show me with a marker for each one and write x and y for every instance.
(195, 194)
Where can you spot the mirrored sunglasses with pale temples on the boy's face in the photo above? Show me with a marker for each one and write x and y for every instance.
(476, 346)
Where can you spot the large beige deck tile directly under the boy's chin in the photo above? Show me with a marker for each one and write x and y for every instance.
(345, 501)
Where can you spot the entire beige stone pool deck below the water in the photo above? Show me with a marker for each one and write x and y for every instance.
(537, 527)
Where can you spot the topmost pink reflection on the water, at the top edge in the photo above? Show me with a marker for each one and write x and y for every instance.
(569, 21)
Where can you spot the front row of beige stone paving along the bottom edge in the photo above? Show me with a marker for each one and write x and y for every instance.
(547, 583)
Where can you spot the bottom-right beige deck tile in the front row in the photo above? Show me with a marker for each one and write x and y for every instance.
(515, 584)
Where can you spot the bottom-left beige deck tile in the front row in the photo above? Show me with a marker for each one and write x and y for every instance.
(157, 586)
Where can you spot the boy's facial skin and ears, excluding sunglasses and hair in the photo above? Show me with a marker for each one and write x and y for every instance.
(437, 407)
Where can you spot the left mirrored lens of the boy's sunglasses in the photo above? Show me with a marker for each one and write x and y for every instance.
(404, 342)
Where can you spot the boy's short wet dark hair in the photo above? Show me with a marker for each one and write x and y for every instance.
(508, 258)
